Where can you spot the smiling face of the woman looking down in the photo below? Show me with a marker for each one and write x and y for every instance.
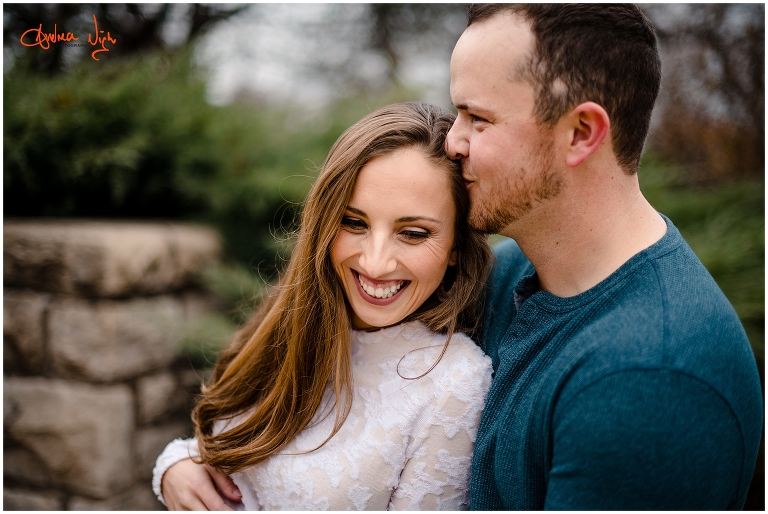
(396, 238)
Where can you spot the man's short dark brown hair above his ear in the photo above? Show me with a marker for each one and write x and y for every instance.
(604, 53)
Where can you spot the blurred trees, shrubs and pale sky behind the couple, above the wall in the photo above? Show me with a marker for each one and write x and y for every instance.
(156, 129)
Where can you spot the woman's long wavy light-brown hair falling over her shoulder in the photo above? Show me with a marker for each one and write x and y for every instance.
(297, 344)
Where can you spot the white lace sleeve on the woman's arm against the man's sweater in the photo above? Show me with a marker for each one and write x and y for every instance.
(436, 475)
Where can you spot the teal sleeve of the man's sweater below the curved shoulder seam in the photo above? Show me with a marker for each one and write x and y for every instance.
(645, 440)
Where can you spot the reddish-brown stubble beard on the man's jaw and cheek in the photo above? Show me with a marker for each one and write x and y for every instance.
(517, 192)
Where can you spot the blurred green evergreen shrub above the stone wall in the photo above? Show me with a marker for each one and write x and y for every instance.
(136, 138)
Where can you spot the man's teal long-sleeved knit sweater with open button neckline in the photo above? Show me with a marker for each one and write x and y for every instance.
(640, 393)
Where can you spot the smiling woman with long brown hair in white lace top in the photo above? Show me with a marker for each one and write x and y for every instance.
(351, 386)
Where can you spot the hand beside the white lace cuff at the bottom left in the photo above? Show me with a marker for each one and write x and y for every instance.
(190, 486)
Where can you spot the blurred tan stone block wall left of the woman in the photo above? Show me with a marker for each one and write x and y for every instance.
(94, 383)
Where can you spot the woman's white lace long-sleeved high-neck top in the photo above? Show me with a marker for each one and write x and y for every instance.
(406, 444)
